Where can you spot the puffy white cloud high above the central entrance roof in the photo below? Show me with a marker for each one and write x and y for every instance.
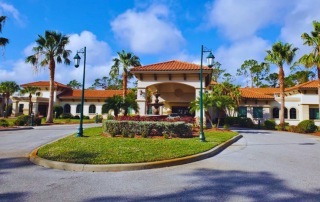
(149, 32)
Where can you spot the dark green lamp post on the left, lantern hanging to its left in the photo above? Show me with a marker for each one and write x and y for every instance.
(76, 64)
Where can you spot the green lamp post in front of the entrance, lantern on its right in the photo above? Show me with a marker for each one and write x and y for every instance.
(210, 59)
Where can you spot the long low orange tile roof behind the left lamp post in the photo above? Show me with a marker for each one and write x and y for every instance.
(89, 94)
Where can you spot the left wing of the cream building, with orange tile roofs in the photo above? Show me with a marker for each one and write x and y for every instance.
(64, 96)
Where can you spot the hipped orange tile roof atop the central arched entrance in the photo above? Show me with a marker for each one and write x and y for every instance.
(172, 65)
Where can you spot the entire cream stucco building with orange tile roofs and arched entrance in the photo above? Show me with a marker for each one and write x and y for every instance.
(171, 86)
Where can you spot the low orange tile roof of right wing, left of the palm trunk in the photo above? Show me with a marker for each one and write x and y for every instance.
(258, 93)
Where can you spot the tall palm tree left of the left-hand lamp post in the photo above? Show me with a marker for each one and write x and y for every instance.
(51, 48)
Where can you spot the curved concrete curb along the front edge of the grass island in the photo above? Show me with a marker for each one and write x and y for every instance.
(129, 167)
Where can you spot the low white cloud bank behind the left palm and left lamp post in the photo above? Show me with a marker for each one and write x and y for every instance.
(97, 65)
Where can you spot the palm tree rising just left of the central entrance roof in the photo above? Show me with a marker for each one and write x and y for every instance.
(125, 60)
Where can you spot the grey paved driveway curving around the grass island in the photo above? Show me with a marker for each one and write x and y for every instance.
(262, 166)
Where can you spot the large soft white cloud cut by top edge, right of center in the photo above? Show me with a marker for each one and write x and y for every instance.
(242, 18)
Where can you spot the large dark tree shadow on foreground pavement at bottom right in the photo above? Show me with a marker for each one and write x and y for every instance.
(217, 185)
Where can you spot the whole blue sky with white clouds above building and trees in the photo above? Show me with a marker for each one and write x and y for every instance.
(156, 31)
